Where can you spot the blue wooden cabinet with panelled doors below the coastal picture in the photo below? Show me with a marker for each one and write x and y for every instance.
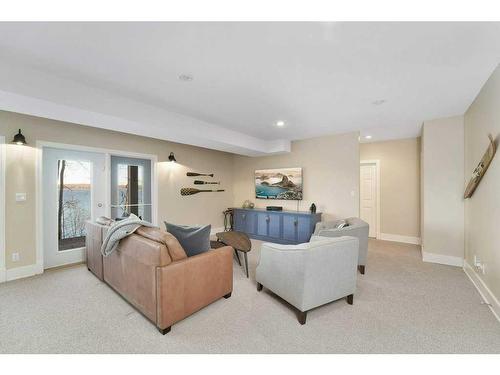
(285, 227)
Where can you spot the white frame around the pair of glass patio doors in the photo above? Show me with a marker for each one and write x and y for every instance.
(40, 145)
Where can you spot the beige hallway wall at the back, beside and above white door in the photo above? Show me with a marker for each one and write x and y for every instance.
(399, 184)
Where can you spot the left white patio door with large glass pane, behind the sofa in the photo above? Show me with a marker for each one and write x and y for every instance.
(74, 191)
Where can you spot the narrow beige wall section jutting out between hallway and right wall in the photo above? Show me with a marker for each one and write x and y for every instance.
(442, 190)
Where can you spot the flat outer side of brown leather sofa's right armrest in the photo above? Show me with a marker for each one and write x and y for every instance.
(188, 285)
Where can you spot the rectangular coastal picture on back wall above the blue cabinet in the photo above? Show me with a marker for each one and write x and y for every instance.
(282, 183)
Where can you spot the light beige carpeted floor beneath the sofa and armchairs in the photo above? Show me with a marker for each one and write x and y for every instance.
(402, 305)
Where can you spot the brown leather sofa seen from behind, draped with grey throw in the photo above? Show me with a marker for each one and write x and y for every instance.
(151, 271)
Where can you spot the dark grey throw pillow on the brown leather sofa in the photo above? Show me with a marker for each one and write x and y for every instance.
(194, 240)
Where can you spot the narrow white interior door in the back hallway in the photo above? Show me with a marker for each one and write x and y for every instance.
(368, 196)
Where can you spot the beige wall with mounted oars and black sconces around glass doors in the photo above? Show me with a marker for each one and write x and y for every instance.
(20, 176)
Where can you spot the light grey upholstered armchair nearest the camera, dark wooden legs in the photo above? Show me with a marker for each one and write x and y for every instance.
(311, 274)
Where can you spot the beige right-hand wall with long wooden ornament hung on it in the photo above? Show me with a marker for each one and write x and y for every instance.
(482, 210)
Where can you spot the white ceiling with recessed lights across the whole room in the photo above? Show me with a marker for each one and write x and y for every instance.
(320, 78)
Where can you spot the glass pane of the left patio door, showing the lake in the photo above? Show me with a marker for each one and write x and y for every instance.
(74, 198)
